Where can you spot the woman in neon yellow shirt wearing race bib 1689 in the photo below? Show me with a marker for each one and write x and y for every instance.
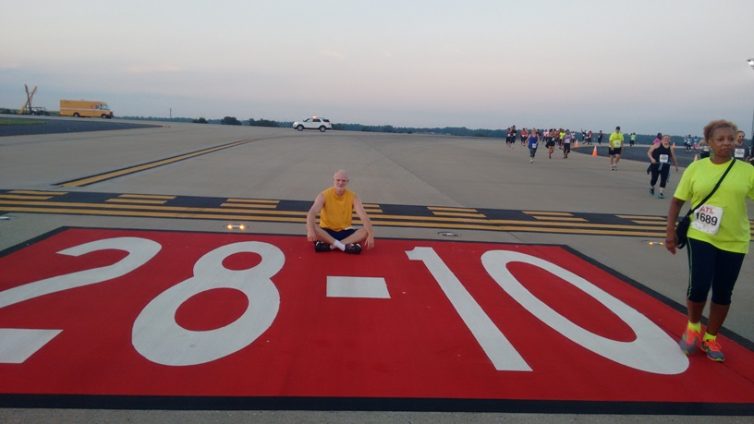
(718, 237)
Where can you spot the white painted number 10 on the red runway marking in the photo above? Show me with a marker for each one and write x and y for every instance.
(652, 350)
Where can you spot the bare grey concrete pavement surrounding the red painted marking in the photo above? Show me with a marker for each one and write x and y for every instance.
(459, 177)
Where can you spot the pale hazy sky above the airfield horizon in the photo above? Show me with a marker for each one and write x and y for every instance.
(649, 66)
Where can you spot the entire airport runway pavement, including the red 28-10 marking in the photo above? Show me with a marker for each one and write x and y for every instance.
(427, 321)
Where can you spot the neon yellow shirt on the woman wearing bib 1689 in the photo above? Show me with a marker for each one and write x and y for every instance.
(697, 182)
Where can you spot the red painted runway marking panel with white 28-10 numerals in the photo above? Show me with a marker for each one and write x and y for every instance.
(143, 313)
